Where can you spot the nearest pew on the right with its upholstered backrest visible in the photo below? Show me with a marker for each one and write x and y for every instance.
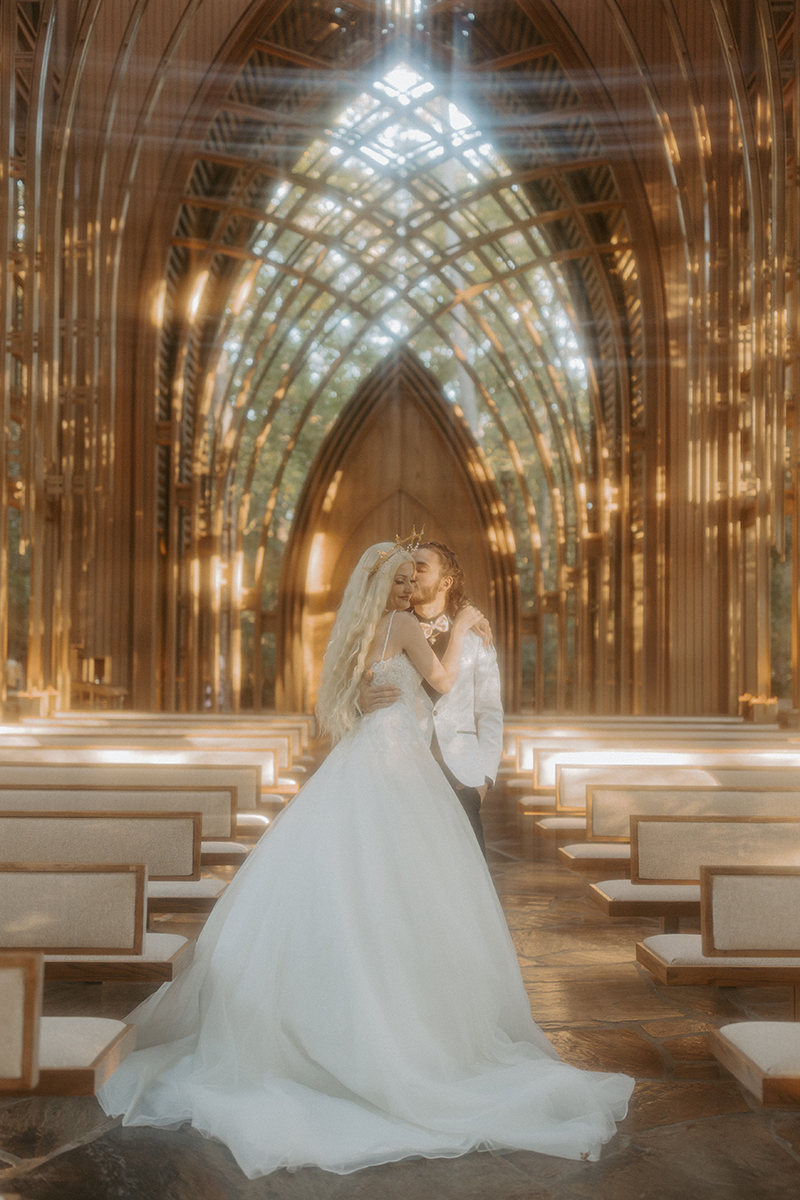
(750, 935)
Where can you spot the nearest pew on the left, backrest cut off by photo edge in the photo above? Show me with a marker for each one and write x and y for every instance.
(52, 1055)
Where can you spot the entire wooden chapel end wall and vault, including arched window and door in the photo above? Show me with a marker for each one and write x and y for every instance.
(239, 347)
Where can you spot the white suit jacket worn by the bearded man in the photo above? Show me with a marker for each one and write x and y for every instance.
(470, 718)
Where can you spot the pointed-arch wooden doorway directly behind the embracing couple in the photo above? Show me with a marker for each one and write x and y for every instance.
(399, 457)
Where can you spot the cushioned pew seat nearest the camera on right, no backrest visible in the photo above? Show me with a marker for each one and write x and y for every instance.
(765, 1057)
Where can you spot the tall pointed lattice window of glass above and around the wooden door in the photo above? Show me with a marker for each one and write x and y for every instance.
(408, 229)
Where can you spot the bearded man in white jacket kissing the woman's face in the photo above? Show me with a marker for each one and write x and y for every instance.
(467, 723)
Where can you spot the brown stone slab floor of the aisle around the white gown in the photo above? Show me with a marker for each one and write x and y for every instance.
(691, 1131)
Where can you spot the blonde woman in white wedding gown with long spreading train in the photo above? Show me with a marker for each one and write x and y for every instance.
(356, 998)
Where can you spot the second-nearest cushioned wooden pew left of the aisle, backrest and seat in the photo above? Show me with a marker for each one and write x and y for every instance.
(89, 923)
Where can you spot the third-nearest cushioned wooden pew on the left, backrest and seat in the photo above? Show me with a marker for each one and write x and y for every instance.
(167, 843)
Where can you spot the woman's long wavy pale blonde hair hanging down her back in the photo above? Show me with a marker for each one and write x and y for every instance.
(354, 631)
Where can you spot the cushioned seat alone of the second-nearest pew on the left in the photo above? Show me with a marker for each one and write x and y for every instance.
(164, 958)
